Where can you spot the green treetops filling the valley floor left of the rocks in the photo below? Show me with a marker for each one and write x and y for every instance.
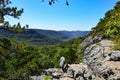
(19, 60)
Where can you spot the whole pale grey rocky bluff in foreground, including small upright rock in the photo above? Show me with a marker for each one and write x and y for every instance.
(100, 63)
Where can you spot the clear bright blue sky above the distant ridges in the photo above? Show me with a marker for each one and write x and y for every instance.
(79, 15)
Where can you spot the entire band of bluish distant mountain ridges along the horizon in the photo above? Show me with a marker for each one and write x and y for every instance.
(39, 36)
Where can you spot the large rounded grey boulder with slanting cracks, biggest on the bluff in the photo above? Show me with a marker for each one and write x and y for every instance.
(92, 54)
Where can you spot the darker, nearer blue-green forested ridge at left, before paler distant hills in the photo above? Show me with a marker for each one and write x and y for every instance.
(31, 36)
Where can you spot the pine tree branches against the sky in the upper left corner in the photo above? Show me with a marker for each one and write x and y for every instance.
(6, 10)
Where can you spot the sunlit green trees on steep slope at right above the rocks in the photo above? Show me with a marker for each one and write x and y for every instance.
(109, 26)
